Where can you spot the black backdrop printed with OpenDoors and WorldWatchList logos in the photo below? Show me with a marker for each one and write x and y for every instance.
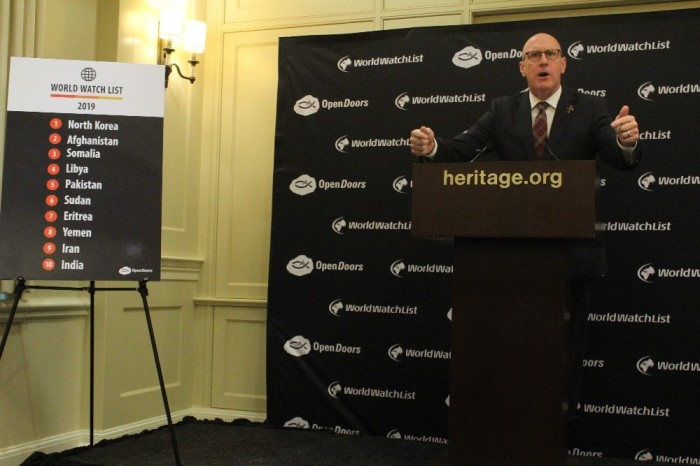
(359, 312)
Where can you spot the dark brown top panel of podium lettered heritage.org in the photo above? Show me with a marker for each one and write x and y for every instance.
(504, 199)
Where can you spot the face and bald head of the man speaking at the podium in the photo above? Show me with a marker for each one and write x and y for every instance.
(543, 75)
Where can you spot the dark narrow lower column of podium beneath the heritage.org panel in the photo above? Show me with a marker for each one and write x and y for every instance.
(508, 353)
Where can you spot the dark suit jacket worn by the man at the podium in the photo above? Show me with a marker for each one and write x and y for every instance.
(580, 131)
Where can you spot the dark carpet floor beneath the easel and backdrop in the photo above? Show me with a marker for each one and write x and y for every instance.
(247, 443)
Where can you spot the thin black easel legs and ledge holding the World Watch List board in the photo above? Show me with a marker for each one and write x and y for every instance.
(21, 287)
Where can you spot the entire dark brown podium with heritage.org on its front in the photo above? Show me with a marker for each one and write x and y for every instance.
(512, 223)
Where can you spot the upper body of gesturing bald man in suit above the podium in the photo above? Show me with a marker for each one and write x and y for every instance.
(578, 125)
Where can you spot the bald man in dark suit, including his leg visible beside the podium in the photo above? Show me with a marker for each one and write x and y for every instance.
(570, 126)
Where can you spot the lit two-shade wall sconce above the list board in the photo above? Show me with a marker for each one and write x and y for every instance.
(170, 29)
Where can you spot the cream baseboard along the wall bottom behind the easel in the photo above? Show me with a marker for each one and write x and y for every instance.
(16, 454)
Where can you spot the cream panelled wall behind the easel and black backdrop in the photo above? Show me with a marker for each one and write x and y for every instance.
(209, 310)
